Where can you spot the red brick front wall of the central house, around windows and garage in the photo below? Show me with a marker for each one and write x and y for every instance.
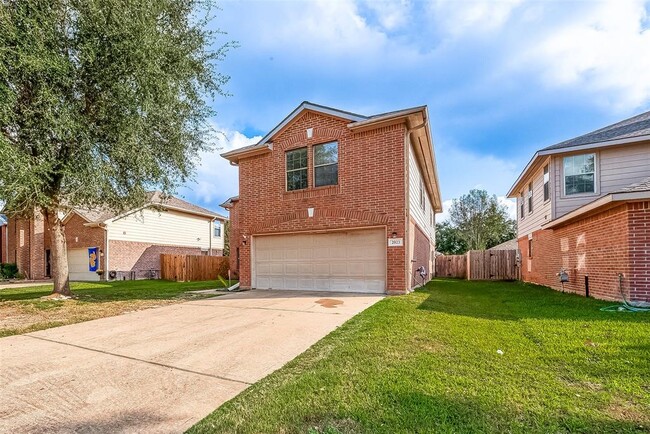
(372, 188)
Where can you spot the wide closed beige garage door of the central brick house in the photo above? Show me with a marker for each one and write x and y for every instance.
(351, 261)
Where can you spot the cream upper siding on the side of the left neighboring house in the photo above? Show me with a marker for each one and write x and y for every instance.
(163, 227)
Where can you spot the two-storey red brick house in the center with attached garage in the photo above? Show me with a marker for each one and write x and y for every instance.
(335, 201)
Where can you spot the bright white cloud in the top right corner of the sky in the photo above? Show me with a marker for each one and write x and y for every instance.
(606, 50)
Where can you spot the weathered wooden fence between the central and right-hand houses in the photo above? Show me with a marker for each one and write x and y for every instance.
(480, 265)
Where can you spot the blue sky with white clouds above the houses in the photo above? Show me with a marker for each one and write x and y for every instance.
(501, 79)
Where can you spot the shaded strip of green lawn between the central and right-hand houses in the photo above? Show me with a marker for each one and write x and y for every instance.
(514, 301)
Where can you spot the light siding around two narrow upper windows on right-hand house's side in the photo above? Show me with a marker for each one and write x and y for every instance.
(541, 210)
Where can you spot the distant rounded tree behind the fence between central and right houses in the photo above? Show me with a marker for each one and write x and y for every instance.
(477, 221)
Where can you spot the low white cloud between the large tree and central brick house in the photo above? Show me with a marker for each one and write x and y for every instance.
(216, 179)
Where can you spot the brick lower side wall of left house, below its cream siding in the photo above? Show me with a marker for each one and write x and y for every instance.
(128, 256)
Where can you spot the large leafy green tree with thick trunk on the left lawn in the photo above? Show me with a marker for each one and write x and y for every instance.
(100, 101)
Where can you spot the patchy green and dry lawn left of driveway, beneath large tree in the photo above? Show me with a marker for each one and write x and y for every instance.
(22, 310)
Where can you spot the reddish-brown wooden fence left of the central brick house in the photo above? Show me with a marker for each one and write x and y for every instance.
(186, 268)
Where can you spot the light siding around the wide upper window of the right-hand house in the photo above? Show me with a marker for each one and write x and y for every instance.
(616, 167)
